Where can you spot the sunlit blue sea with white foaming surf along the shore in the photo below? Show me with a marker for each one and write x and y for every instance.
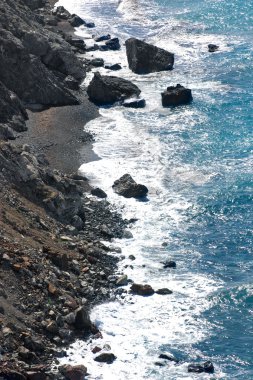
(197, 162)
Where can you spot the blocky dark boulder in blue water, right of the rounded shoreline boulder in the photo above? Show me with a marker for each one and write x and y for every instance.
(176, 95)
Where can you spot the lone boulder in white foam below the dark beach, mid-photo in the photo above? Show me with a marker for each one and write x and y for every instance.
(128, 188)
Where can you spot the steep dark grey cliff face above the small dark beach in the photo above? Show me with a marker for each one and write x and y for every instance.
(34, 61)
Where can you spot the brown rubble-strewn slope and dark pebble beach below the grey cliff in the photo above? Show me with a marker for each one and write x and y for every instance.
(40, 202)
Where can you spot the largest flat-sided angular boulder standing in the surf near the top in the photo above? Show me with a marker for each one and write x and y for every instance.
(144, 58)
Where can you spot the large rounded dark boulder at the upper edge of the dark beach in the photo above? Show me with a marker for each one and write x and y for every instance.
(109, 89)
